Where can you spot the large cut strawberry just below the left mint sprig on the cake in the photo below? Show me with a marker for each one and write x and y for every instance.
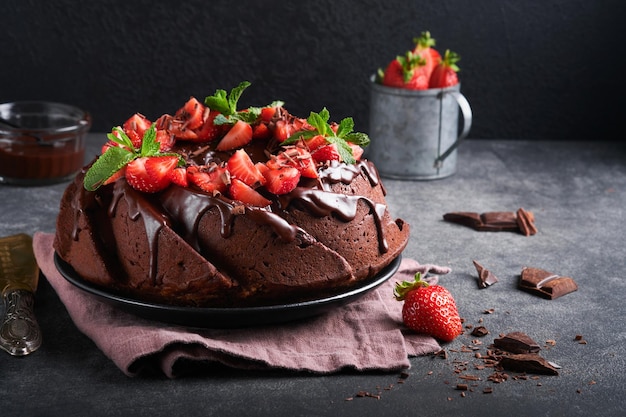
(150, 174)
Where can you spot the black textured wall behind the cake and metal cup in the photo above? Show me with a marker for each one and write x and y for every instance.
(531, 70)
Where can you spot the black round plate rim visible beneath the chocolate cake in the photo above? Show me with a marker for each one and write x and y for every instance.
(227, 317)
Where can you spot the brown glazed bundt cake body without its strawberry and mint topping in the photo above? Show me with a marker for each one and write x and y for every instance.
(189, 246)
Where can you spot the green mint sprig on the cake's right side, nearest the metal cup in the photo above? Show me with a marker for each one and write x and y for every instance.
(345, 134)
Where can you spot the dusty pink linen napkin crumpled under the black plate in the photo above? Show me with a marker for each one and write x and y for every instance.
(366, 334)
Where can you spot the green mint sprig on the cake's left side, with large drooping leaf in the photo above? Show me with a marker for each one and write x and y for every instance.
(117, 157)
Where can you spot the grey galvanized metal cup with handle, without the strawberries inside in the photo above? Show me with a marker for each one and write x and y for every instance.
(415, 133)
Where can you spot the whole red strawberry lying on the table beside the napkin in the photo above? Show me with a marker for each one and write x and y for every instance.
(429, 309)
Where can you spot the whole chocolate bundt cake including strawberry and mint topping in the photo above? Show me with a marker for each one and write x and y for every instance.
(215, 207)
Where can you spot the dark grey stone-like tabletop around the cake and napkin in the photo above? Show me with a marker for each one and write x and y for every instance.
(577, 192)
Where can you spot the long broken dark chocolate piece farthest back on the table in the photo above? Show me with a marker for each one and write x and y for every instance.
(522, 221)
